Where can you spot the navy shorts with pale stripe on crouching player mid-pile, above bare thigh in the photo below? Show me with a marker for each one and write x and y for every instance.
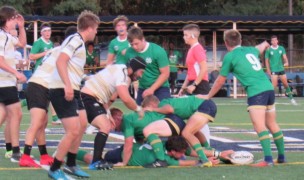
(175, 123)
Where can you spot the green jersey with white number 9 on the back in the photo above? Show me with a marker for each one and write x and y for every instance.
(244, 63)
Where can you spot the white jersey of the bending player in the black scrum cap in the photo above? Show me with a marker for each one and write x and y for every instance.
(103, 84)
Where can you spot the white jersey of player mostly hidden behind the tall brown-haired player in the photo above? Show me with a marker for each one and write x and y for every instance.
(43, 74)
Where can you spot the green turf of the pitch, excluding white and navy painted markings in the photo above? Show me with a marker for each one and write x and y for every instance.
(231, 114)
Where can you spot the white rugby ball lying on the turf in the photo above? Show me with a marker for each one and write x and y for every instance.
(241, 157)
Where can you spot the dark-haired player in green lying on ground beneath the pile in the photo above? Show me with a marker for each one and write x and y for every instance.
(143, 155)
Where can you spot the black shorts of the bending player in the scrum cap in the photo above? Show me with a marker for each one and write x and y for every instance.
(92, 107)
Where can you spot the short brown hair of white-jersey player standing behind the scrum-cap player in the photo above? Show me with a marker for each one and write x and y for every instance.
(87, 19)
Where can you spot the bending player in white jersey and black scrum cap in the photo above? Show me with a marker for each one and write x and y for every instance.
(99, 91)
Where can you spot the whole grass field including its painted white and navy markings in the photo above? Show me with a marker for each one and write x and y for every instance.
(231, 130)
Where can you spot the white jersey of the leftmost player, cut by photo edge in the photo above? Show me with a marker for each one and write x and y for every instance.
(7, 49)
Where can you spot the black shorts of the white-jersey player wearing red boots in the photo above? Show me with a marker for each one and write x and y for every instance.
(37, 96)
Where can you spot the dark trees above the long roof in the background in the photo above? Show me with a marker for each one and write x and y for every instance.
(156, 7)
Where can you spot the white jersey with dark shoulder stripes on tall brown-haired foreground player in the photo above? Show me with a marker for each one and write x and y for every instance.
(74, 47)
